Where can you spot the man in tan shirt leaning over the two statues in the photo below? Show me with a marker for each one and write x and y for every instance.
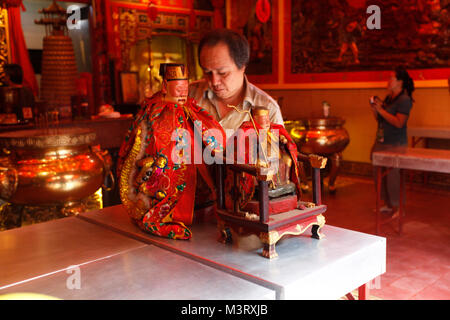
(223, 57)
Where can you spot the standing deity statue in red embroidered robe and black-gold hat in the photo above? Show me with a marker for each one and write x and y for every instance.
(157, 166)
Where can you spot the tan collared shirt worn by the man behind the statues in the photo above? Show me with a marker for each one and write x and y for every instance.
(200, 91)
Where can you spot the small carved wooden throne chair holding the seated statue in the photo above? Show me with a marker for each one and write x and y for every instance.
(271, 214)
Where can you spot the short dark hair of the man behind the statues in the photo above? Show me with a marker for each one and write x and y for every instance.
(237, 45)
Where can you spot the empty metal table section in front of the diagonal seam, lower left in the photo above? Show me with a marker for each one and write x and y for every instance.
(43, 259)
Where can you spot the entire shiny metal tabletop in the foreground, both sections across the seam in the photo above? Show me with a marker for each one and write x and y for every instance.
(114, 259)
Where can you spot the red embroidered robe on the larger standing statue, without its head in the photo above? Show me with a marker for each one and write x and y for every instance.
(170, 187)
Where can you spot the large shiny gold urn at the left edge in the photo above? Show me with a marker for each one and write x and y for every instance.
(46, 167)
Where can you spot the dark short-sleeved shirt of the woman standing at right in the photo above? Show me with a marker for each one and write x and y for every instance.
(393, 135)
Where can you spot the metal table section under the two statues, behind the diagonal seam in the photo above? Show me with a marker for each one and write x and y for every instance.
(306, 268)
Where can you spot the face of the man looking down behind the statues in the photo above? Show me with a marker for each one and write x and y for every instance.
(224, 78)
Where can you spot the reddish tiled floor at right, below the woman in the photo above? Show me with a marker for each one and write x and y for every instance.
(418, 261)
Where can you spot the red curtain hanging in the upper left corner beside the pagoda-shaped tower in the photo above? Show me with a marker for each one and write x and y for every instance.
(19, 52)
